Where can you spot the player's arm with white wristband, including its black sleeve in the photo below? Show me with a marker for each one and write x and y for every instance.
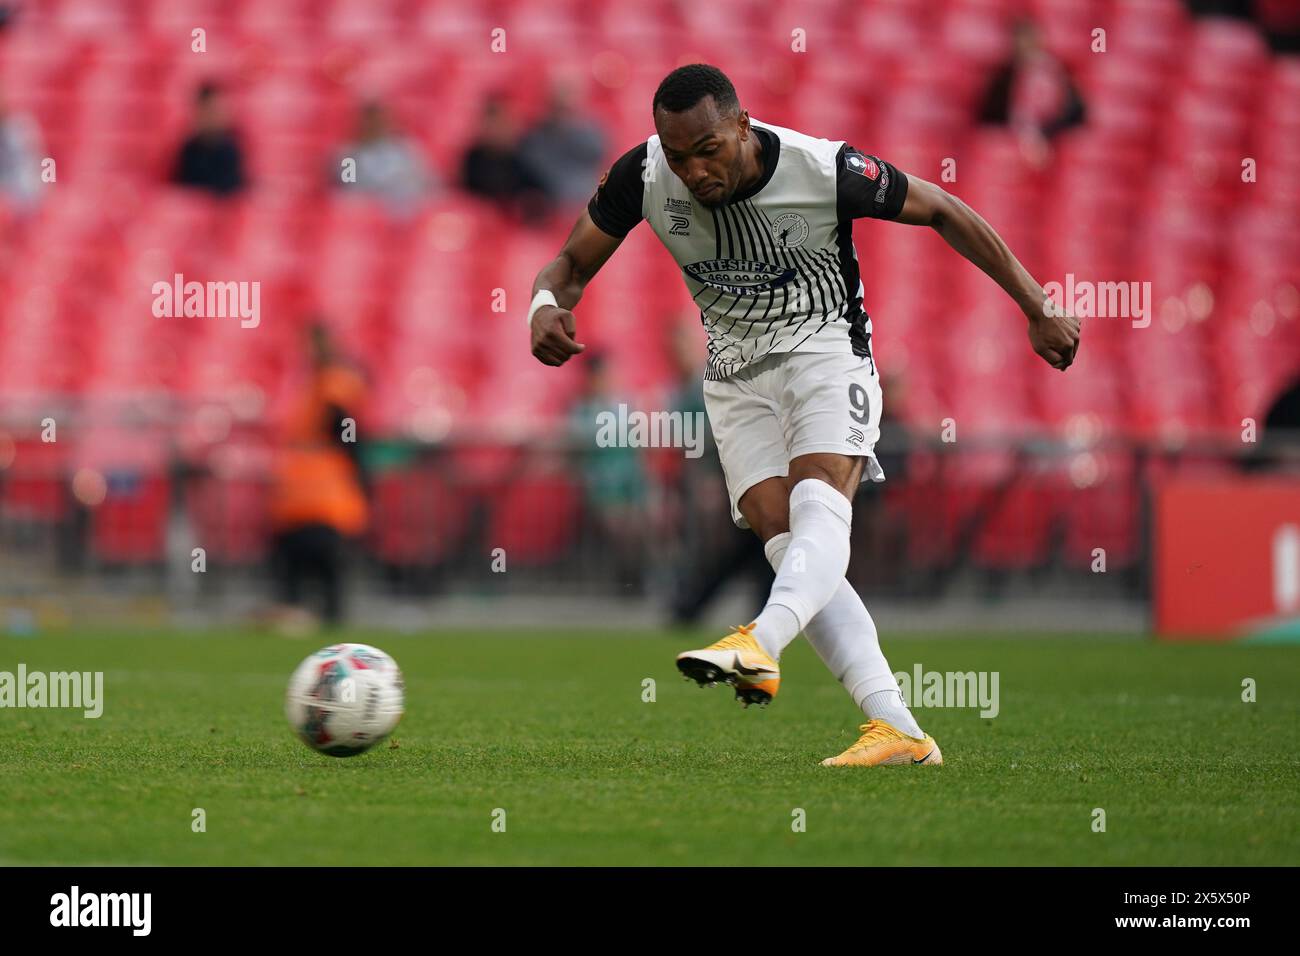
(609, 218)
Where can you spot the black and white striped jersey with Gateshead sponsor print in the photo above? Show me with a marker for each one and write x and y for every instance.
(774, 270)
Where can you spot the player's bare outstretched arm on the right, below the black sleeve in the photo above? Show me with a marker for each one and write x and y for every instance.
(1054, 335)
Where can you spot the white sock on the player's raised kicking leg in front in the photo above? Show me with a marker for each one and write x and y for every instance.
(814, 564)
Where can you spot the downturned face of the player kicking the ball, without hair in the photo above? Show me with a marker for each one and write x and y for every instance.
(705, 149)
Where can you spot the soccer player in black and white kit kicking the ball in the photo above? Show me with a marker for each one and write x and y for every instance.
(760, 219)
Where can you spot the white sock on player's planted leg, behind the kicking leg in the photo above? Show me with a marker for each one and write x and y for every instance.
(846, 639)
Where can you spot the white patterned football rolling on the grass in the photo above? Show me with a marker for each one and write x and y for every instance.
(345, 699)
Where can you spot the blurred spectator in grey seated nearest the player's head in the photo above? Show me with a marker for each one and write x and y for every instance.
(564, 152)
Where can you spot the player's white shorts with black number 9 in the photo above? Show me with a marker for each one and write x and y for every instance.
(791, 405)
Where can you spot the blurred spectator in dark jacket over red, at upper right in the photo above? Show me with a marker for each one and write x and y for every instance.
(1034, 94)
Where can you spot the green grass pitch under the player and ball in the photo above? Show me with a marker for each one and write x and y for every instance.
(553, 730)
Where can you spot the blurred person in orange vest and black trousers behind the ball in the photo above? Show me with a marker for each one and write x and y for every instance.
(318, 499)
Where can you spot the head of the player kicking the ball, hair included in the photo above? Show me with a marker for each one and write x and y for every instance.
(704, 132)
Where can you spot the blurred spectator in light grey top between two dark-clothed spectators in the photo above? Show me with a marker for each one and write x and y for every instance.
(389, 166)
